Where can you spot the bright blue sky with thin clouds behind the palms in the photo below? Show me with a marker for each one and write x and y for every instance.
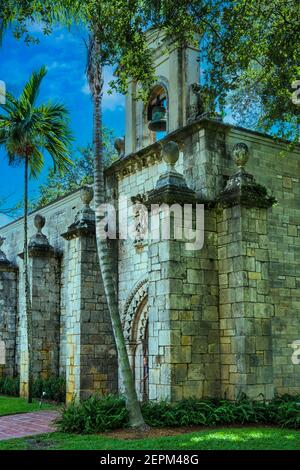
(64, 54)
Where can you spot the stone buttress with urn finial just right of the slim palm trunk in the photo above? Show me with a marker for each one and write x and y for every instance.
(44, 279)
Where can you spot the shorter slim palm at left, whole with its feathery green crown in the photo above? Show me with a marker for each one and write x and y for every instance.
(27, 130)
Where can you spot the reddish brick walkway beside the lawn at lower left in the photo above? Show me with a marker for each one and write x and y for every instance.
(27, 424)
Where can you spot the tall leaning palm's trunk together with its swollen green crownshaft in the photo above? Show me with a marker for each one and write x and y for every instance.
(94, 73)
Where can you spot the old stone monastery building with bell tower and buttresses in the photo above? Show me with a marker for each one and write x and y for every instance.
(212, 322)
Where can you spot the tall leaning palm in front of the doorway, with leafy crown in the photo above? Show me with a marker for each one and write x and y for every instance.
(102, 51)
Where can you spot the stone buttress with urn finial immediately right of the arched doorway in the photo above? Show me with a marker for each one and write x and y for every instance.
(183, 316)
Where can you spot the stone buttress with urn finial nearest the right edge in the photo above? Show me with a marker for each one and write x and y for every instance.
(245, 308)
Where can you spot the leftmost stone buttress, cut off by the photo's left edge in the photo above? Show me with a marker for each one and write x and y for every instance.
(8, 314)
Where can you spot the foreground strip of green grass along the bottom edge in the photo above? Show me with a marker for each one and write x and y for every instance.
(249, 438)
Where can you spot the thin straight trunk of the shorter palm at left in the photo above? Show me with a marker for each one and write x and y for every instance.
(26, 284)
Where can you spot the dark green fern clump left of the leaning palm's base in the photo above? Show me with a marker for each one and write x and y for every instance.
(96, 414)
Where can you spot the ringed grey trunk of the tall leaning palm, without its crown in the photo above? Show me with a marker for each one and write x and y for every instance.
(135, 415)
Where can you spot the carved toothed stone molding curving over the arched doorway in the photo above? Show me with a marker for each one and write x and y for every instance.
(136, 299)
